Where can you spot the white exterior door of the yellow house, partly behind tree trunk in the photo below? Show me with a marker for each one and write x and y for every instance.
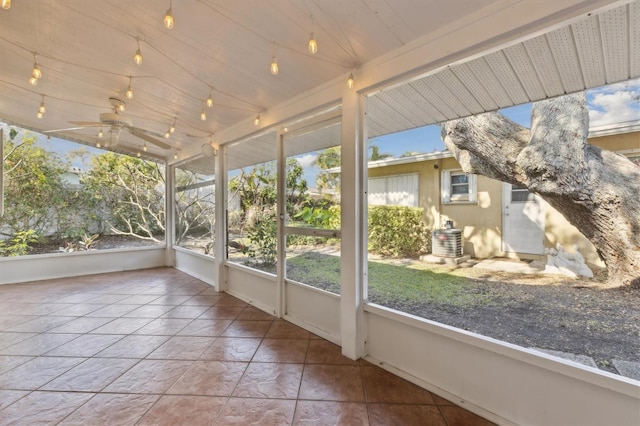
(522, 221)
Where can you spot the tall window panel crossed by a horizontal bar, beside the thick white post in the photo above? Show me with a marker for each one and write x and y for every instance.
(313, 202)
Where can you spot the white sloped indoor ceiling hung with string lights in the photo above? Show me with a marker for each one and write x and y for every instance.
(85, 50)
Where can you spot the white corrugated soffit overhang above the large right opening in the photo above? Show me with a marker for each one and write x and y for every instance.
(592, 52)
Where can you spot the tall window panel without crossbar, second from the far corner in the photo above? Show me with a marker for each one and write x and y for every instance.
(251, 206)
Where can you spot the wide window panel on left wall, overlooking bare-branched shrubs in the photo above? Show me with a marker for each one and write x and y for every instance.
(61, 196)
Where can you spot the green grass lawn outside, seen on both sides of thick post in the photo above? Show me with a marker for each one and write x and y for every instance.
(391, 281)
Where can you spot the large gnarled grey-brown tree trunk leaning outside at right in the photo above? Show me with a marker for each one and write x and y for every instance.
(596, 190)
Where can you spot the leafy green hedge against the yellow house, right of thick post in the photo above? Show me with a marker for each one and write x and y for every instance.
(397, 231)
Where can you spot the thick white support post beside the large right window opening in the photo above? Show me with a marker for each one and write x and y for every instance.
(352, 253)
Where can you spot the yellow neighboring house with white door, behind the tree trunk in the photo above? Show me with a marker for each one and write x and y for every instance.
(497, 219)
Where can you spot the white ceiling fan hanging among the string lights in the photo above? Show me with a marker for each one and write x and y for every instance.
(115, 122)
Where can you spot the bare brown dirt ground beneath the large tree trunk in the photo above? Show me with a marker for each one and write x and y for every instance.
(578, 316)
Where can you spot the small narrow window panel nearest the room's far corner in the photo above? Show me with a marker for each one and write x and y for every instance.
(195, 206)
